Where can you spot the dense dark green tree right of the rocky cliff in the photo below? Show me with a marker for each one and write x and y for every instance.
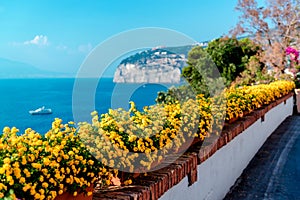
(220, 63)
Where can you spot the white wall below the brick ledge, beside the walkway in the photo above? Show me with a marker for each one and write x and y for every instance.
(219, 172)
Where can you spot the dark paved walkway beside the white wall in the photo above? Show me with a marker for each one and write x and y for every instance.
(274, 173)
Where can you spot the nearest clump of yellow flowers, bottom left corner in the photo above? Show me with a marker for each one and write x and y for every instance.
(43, 167)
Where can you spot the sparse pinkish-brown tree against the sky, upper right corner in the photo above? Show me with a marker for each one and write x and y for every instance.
(275, 26)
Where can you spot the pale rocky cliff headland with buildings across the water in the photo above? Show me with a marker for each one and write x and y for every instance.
(157, 65)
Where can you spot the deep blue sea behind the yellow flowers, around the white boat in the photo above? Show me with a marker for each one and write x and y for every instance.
(18, 96)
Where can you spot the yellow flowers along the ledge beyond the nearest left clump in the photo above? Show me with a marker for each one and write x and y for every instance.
(133, 140)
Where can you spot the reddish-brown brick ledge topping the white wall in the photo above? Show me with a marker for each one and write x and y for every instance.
(156, 183)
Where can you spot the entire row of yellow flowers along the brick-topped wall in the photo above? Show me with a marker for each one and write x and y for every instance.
(69, 159)
